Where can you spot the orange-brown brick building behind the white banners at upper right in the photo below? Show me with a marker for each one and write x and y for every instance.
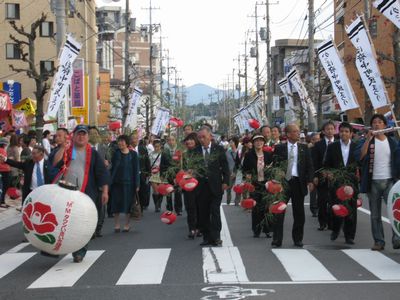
(381, 31)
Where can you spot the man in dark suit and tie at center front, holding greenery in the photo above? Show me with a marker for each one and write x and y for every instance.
(212, 184)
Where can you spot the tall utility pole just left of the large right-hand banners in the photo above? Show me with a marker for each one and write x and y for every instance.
(311, 63)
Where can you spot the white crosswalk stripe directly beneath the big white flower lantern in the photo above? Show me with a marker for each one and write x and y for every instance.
(65, 273)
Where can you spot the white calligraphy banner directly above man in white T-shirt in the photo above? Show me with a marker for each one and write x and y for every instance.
(366, 64)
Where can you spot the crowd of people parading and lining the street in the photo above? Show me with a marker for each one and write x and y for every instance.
(121, 173)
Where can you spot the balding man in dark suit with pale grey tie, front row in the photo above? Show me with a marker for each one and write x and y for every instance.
(299, 174)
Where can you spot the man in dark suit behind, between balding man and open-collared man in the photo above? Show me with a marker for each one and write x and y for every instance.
(318, 155)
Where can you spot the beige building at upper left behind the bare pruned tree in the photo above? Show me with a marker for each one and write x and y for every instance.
(80, 23)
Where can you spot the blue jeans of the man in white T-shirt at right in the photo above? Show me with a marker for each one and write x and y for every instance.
(379, 189)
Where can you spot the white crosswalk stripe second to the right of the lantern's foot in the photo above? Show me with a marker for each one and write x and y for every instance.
(147, 266)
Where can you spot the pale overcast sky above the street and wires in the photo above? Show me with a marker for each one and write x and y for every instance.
(204, 37)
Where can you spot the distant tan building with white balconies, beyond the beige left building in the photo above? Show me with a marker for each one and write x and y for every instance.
(111, 55)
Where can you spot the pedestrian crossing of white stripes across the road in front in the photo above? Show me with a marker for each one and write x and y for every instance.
(221, 265)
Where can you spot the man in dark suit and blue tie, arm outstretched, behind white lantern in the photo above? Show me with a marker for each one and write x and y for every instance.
(37, 170)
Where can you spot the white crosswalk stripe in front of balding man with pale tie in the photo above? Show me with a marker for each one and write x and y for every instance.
(301, 265)
